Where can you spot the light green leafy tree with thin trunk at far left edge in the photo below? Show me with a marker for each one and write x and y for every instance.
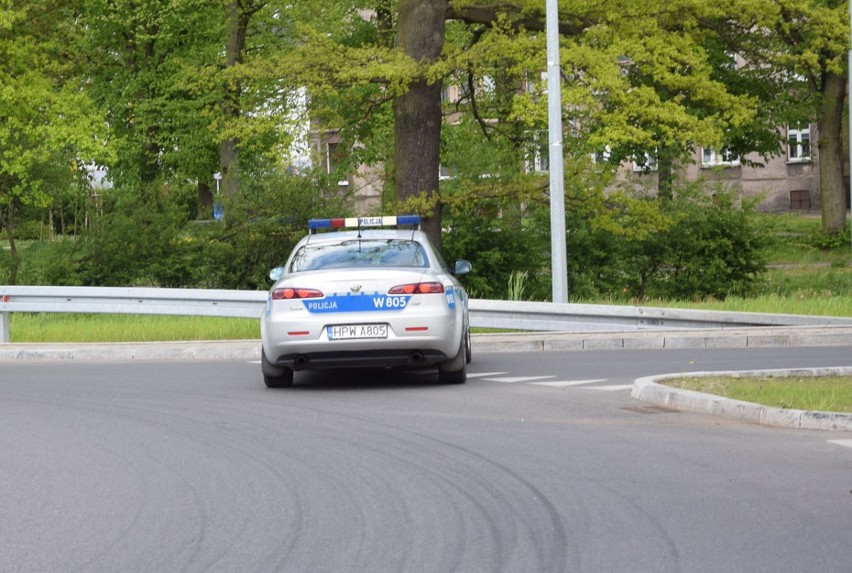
(47, 122)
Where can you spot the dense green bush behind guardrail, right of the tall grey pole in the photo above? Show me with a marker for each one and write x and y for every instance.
(695, 246)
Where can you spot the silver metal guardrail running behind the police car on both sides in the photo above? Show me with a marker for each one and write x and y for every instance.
(540, 316)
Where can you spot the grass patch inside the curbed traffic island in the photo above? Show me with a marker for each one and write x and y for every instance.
(827, 394)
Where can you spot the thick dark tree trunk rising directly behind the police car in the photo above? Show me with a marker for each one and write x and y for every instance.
(417, 113)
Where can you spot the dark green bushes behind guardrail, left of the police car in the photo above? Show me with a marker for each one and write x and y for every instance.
(158, 243)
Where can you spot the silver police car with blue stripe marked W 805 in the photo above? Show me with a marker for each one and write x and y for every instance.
(365, 292)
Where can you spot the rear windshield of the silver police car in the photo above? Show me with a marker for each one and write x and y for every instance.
(359, 253)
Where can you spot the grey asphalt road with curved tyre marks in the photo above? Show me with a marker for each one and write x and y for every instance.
(541, 462)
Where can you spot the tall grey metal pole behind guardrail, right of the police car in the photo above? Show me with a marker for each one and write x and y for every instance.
(558, 250)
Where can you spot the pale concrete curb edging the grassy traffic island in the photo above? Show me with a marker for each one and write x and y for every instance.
(648, 389)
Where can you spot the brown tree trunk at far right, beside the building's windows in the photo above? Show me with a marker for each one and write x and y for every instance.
(832, 190)
